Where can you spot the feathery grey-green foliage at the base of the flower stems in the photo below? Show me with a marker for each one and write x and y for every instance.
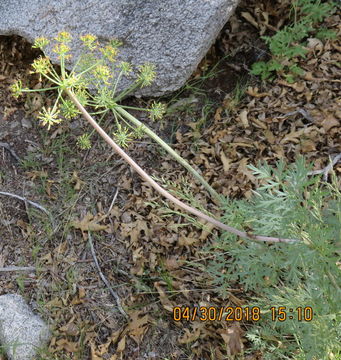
(292, 203)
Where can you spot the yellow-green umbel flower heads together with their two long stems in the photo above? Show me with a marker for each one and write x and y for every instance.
(97, 68)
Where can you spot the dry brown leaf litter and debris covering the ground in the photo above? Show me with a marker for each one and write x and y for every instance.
(145, 252)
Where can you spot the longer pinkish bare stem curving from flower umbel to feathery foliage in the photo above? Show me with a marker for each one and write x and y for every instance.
(162, 191)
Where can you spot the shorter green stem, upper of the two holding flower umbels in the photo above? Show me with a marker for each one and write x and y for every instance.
(174, 154)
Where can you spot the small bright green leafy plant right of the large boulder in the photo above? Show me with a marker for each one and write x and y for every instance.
(287, 44)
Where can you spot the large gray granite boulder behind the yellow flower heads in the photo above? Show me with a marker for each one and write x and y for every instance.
(174, 35)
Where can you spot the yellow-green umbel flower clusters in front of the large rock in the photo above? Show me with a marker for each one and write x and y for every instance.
(98, 68)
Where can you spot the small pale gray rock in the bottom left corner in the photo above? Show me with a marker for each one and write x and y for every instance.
(21, 332)
